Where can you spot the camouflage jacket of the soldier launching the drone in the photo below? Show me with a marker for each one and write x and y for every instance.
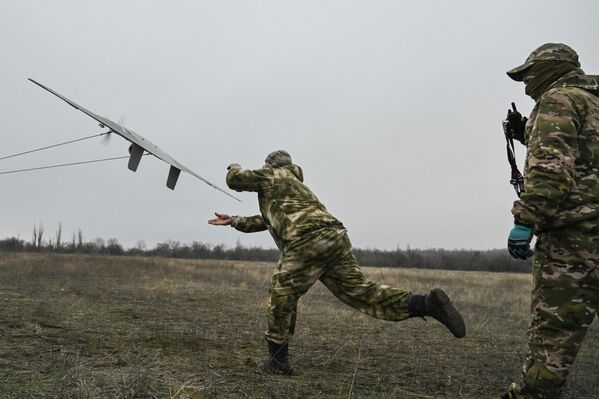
(288, 208)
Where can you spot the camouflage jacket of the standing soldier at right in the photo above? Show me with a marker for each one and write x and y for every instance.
(561, 183)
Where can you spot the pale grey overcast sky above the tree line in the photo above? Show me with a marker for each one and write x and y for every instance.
(392, 108)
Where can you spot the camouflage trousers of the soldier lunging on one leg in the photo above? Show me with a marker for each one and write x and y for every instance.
(326, 255)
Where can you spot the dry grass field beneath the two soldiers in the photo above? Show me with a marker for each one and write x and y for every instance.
(74, 326)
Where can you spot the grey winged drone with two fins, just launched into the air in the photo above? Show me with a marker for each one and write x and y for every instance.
(138, 146)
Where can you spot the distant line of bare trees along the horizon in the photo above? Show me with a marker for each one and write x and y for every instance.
(496, 260)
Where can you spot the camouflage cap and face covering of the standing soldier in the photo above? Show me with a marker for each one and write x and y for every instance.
(544, 66)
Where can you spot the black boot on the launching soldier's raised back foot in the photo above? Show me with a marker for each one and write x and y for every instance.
(437, 305)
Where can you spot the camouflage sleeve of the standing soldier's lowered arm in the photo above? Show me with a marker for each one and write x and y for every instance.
(552, 149)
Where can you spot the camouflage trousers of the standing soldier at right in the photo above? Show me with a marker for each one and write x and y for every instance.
(565, 299)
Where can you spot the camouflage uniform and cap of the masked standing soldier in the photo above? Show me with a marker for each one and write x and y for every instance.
(561, 203)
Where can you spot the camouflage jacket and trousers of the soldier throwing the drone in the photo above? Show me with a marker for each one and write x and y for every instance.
(314, 246)
